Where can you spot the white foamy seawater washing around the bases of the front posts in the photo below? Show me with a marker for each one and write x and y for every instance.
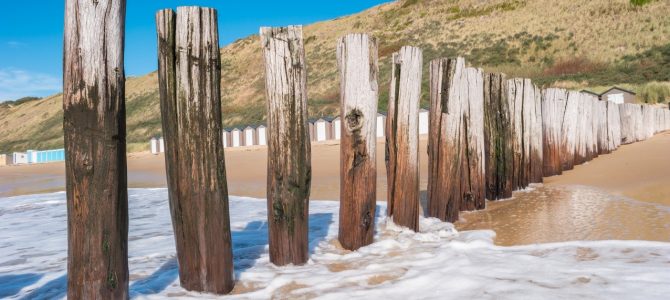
(436, 263)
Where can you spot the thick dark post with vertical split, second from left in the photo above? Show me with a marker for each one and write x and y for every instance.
(189, 84)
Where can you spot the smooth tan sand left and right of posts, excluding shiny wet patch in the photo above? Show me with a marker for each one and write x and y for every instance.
(639, 171)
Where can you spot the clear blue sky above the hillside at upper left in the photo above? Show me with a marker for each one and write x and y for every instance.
(31, 34)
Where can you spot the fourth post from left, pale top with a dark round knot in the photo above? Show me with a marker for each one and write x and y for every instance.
(359, 94)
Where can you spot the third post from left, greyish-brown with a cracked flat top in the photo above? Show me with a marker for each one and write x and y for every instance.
(289, 163)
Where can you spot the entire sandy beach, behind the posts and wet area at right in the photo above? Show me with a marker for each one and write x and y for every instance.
(624, 195)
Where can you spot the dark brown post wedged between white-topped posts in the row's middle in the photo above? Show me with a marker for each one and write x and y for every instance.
(497, 136)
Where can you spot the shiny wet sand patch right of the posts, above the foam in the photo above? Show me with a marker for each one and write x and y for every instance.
(545, 214)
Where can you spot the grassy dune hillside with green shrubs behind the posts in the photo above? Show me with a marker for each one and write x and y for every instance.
(567, 43)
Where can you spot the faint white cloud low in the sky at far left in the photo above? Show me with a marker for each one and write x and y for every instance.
(16, 83)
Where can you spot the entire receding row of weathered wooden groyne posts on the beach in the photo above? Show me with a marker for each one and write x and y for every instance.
(488, 136)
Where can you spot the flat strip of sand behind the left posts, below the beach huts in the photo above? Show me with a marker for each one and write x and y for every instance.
(246, 171)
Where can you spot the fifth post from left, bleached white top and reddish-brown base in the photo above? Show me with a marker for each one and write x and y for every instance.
(402, 140)
